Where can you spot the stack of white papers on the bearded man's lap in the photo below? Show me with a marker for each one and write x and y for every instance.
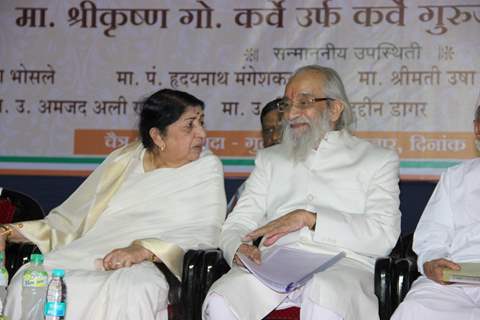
(284, 269)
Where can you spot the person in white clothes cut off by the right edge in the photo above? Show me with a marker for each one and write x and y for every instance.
(448, 233)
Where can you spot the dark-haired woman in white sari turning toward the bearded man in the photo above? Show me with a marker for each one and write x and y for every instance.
(149, 201)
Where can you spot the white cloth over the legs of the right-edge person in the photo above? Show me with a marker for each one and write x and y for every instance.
(430, 300)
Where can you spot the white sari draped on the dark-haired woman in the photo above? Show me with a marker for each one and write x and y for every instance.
(184, 206)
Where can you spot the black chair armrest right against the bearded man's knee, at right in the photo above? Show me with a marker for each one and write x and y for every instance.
(383, 286)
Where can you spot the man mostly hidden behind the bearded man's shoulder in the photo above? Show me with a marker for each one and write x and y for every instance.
(271, 121)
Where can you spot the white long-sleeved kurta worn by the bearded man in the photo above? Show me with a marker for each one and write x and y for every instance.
(353, 187)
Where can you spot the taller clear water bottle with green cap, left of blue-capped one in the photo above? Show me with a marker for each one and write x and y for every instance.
(35, 280)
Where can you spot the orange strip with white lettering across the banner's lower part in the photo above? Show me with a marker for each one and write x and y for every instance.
(410, 145)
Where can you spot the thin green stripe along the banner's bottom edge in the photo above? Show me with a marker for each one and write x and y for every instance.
(226, 162)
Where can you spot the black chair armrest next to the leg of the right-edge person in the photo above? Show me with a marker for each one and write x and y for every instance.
(405, 272)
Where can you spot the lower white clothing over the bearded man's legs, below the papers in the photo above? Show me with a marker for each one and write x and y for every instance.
(344, 291)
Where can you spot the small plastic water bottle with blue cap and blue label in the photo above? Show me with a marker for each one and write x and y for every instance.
(56, 301)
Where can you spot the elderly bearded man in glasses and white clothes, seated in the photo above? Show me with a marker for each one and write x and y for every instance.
(320, 190)
